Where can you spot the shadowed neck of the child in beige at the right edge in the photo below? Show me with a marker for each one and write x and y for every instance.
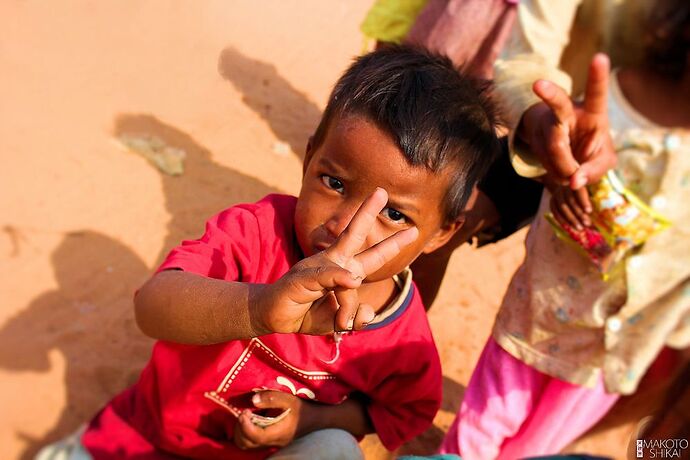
(661, 100)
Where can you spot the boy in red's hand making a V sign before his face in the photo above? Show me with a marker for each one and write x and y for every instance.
(318, 295)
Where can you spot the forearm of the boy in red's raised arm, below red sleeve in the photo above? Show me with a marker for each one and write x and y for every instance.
(186, 308)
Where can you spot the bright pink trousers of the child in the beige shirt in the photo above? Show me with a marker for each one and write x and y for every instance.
(511, 410)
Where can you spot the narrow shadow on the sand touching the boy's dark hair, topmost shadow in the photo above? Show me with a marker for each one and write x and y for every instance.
(289, 112)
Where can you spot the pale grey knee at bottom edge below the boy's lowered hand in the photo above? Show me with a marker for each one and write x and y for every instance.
(329, 444)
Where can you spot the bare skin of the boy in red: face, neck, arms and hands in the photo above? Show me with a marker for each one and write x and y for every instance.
(356, 236)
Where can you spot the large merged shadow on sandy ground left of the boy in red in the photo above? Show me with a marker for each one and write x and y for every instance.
(89, 318)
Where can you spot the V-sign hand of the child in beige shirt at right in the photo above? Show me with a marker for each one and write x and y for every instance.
(572, 140)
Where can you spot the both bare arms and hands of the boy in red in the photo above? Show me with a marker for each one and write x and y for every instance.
(210, 309)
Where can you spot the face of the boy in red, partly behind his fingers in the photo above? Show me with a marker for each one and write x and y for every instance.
(354, 158)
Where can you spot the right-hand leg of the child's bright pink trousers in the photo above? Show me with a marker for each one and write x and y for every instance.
(561, 415)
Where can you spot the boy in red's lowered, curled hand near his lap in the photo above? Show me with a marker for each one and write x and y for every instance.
(295, 424)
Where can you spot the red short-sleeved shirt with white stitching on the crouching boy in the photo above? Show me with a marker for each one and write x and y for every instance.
(184, 400)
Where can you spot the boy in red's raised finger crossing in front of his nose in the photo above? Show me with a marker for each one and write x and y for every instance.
(355, 234)
